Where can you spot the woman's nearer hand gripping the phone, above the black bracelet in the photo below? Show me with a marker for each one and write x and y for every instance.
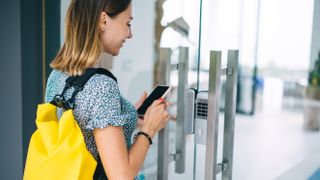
(156, 117)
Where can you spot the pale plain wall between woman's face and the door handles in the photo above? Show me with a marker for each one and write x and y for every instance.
(134, 66)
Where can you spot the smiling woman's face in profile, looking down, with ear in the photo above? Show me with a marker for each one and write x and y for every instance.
(115, 31)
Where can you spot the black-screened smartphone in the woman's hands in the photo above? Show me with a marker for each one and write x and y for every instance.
(159, 92)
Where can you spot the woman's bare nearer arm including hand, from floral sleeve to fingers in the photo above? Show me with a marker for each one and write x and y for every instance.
(119, 162)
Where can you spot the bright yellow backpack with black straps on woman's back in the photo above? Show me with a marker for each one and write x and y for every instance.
(57, 150)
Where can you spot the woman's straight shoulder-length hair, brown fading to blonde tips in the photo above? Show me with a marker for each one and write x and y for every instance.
(82, 47)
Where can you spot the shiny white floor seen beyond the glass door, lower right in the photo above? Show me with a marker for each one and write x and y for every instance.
(273, 143)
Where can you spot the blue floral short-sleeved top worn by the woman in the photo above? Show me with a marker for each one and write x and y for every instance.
(98, 105)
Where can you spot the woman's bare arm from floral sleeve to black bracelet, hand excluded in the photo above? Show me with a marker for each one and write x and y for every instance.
(117, 161)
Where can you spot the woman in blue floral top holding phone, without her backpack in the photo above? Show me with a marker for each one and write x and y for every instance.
(106, 119)
